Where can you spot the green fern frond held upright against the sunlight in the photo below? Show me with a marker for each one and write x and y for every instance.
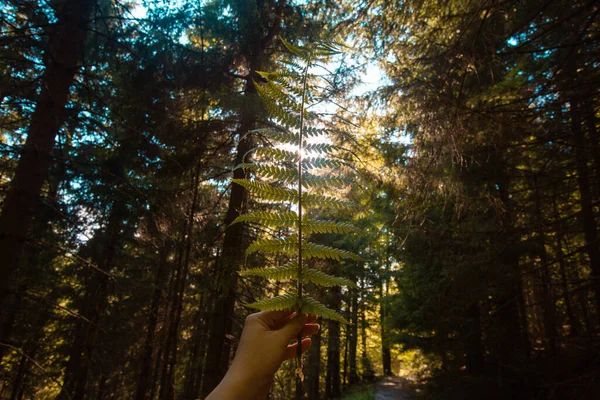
(287, 94)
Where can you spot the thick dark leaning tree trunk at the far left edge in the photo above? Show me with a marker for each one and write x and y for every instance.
(63, 53)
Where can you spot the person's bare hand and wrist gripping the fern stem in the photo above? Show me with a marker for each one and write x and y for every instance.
(264, 345)
